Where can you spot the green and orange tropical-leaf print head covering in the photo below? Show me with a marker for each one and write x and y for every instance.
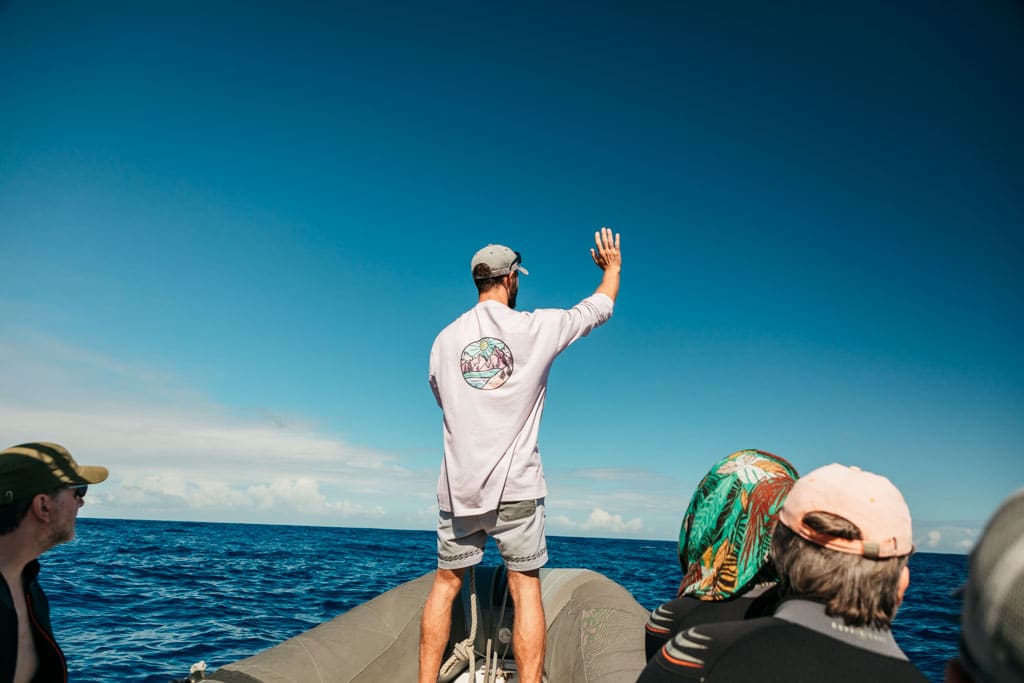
(727, 534)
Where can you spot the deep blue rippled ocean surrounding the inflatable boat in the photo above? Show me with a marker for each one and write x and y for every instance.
(144, 601)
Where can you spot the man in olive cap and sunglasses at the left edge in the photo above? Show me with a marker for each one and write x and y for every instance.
(41, 491)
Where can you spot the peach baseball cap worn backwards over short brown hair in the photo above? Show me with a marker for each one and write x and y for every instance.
(870, 501)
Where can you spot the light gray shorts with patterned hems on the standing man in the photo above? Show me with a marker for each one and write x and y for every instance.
(518, 528)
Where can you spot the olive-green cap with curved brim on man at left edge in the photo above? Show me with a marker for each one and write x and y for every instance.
(35, 468)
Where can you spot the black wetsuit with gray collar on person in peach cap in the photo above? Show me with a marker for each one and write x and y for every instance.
(800, 644)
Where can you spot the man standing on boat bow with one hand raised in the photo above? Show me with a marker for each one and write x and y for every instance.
(489, 372)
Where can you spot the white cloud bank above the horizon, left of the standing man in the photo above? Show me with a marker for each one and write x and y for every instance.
(175, 454)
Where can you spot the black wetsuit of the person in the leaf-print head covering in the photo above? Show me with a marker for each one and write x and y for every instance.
(684, 613)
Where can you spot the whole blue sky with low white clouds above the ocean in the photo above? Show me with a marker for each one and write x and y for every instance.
(231, 232)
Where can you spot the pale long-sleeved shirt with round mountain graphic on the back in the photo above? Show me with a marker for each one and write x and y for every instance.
(489, 371)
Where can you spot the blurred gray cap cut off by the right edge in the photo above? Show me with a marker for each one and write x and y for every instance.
(993, 623)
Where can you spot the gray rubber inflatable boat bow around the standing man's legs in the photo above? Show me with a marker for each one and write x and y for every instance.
(595, 634)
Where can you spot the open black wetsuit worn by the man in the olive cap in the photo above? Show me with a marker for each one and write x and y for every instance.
(53, 667)
